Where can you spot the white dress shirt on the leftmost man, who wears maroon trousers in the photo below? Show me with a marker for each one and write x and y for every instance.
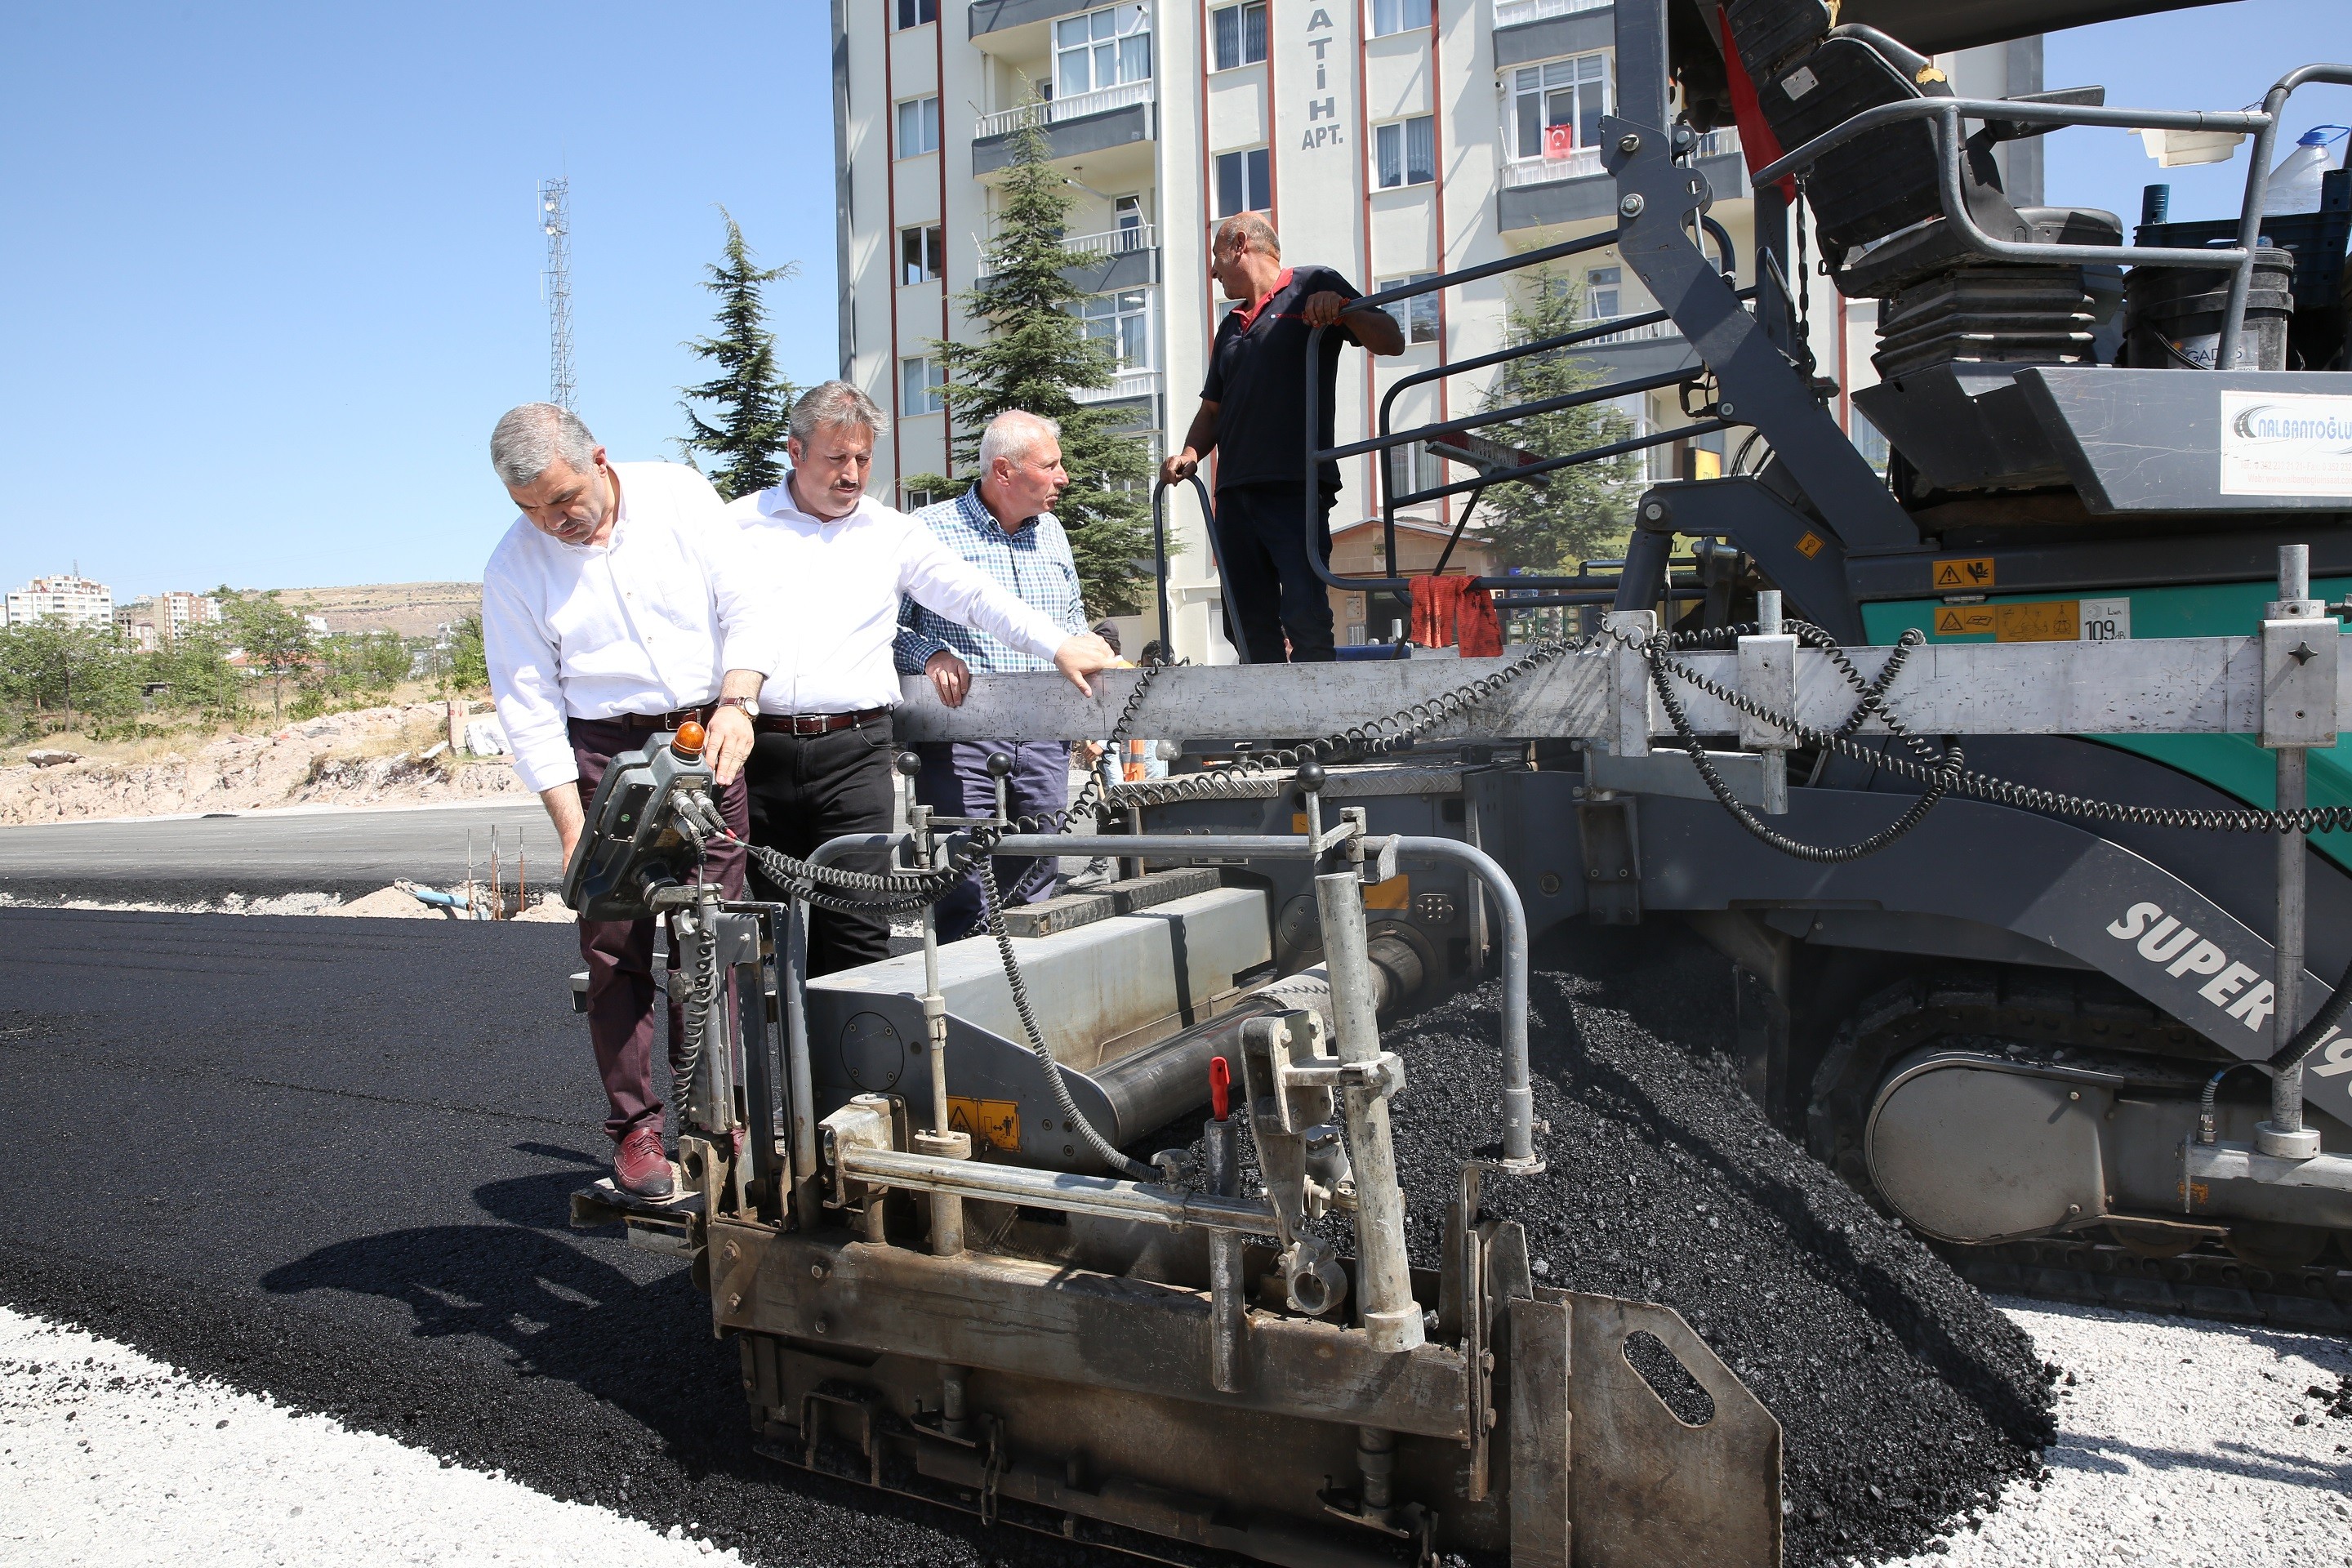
(648, 622)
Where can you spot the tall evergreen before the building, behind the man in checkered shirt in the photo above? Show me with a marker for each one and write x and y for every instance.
(1034, 356)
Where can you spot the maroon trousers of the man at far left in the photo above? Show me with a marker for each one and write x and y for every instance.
(622, 951)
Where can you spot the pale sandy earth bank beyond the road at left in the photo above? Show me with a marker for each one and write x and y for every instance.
(366, 758)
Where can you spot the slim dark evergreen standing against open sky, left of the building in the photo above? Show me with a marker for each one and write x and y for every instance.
(749, 398)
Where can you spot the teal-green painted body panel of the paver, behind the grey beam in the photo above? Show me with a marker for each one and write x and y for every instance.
(2233, 765)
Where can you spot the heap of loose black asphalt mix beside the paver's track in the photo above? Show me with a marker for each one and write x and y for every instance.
(1904, 1398)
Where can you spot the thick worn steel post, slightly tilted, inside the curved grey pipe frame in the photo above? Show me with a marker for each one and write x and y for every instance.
(1384, 1282)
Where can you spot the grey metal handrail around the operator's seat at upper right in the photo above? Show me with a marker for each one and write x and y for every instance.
(1944, 119)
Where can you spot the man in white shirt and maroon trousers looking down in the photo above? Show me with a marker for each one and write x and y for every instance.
(620, 605)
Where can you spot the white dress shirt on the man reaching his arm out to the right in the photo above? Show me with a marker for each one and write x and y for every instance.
(841, 587)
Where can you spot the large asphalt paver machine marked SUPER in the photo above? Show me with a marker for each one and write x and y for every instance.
(2017, 913)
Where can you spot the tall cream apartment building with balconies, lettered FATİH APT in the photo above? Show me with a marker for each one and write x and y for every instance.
(1384, 138)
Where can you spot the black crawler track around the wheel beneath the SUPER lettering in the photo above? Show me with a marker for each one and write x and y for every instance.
(2085, 1021)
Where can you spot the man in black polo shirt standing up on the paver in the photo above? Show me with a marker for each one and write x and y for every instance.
(1252, 413)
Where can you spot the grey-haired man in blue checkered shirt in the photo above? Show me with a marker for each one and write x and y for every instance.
(1005, 528)
